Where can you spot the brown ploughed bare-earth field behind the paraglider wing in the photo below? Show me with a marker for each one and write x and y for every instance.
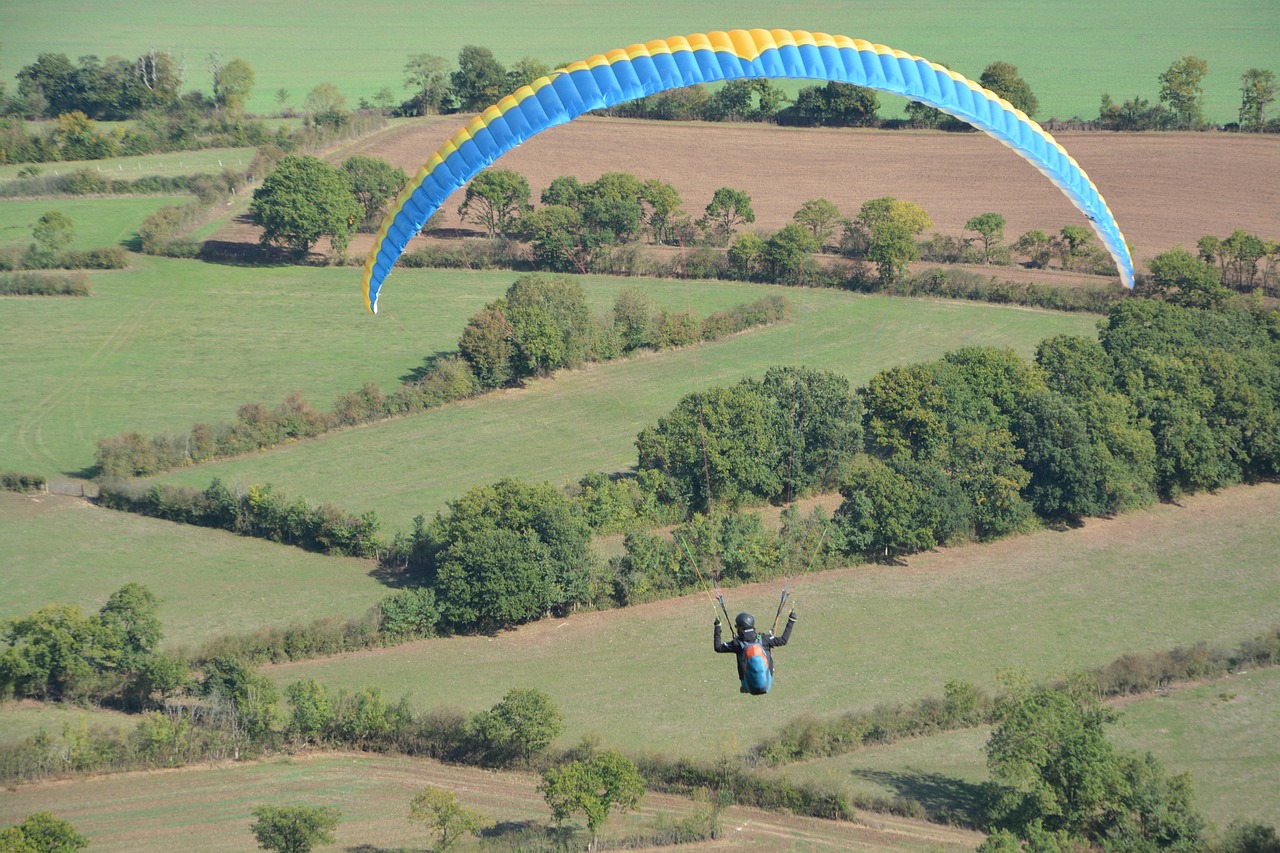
(1165, 189)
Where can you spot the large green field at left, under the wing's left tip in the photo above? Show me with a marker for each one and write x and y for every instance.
(168, 344)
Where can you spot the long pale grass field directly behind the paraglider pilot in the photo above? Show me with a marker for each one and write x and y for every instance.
(646, 678)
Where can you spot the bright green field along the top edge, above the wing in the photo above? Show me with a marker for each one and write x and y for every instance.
(1068, 56)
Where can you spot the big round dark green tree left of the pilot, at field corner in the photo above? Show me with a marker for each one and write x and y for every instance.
(508, 554)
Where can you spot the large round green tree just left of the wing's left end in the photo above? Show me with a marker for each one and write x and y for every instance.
(303, 200)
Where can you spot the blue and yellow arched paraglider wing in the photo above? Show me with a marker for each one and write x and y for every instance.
(703, 58)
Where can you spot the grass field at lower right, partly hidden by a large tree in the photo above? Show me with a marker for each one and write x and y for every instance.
(1209, 729)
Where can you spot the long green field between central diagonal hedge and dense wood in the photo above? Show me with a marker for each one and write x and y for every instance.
(587, 421)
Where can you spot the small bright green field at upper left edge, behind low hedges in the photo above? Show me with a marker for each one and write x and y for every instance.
(98, 222)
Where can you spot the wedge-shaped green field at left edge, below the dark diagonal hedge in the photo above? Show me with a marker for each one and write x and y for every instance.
(209, 583)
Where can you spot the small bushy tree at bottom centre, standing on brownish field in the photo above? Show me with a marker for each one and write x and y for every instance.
(593, 787)
